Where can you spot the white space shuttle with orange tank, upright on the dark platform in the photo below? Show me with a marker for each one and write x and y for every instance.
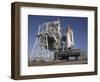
(70, 38)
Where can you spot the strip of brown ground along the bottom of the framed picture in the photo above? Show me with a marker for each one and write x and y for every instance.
(60, 62)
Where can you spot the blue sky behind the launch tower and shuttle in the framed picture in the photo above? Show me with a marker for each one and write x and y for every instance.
(79, 27)
